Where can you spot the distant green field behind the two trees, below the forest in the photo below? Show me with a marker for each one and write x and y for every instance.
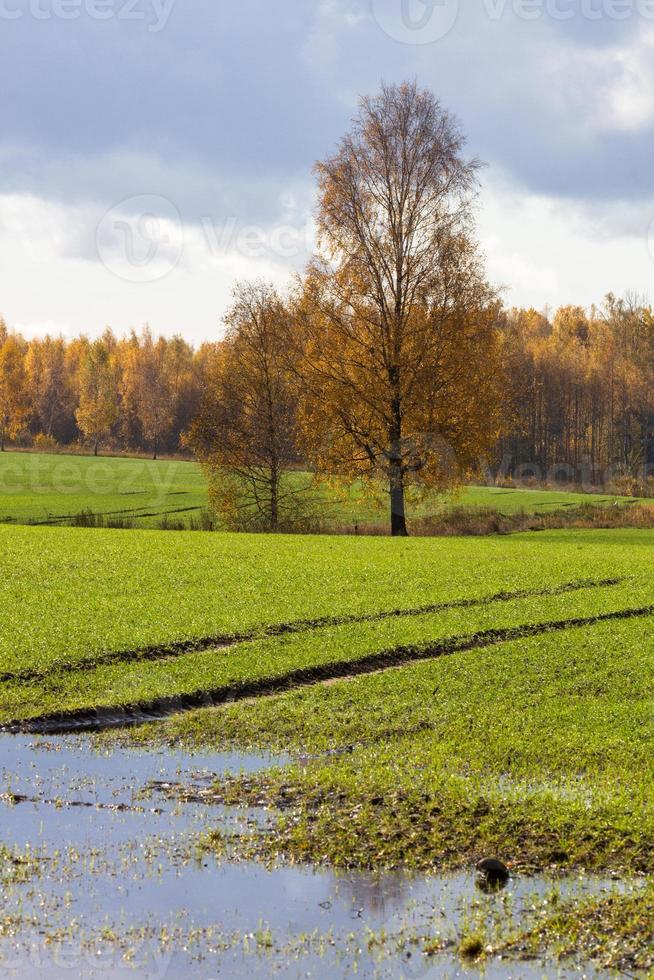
(56, 489)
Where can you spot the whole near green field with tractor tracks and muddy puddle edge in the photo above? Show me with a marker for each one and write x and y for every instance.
(445, 698)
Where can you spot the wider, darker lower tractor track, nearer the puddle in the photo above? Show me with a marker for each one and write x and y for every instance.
(160, 708)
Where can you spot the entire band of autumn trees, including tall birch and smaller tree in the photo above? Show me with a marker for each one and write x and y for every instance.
(392, 361)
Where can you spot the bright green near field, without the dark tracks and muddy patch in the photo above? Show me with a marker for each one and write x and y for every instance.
(513, 720)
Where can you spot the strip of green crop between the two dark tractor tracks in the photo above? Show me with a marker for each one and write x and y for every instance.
(251, 667)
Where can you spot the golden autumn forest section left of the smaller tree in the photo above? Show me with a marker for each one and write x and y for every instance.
(138, 393)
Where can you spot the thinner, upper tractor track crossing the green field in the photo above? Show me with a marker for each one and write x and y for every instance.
(179, 648)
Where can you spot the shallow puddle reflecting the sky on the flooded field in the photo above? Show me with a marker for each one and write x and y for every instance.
(124, 865)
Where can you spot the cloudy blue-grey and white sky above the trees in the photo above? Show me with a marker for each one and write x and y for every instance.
(153, 152)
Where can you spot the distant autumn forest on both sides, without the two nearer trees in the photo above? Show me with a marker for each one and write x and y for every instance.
(579, 389)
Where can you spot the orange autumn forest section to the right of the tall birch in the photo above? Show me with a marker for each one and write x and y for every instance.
(580, 403)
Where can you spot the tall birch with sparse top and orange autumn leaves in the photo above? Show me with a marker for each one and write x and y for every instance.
(398, 323)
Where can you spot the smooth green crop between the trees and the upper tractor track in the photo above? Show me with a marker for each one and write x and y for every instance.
(76, 594)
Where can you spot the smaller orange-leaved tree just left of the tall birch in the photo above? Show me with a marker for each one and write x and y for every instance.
(245, 432)
